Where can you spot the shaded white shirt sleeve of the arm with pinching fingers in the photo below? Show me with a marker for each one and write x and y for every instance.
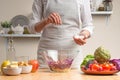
(37, 11)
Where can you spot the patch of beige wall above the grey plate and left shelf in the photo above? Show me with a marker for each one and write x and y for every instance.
(10, 8)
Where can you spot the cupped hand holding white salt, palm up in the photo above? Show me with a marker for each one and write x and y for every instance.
(79, 39)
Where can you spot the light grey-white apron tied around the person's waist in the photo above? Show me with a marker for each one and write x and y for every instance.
(61, 36)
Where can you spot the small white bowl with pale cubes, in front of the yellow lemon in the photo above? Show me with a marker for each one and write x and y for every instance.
(12, 71)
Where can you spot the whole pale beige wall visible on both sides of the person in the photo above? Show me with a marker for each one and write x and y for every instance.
(106, 35)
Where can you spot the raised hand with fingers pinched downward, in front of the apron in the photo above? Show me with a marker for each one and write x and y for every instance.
(54, 18)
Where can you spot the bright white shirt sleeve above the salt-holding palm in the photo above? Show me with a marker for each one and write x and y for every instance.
(86, 17)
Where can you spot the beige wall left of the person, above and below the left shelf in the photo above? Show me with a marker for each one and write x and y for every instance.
(24, 46)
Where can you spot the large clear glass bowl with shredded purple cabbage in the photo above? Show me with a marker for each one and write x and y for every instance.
(60, 60)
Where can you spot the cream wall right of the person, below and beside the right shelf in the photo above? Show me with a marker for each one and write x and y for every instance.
(106, 35)
